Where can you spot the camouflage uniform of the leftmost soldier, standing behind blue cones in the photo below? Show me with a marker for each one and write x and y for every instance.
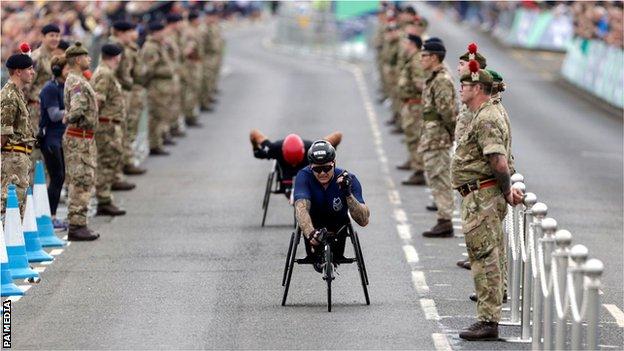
(17, 127)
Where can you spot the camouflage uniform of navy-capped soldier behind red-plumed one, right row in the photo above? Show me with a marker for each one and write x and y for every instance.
(439, 115)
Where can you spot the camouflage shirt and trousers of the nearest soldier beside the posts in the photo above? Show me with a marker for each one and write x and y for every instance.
(483, 210)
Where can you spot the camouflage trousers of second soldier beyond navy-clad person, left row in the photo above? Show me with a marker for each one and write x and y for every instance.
(109, 141)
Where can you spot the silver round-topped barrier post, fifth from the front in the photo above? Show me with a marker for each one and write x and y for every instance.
(539, 211)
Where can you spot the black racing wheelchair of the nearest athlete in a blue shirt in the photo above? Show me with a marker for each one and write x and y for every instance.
(328, 260)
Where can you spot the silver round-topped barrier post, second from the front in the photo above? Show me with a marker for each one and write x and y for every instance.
(578, 254)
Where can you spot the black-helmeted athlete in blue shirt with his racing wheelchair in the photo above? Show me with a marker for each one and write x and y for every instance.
(325, 199)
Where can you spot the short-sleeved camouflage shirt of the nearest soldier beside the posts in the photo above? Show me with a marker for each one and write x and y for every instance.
(488, 133)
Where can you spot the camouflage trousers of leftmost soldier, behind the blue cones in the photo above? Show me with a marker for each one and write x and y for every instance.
(16, 169)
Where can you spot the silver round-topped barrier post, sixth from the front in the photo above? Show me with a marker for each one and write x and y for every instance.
(527, 277)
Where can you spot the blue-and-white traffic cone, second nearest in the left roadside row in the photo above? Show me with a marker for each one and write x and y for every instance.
(14, 239)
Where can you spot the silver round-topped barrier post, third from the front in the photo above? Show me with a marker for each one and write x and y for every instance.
(563, 238)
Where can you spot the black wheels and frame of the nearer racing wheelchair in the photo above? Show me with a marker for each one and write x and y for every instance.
(328, 266)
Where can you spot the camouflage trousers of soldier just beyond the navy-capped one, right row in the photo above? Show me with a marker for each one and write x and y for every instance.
(411, 123)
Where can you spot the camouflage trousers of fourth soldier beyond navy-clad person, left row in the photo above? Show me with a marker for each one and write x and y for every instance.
(159, 111)
